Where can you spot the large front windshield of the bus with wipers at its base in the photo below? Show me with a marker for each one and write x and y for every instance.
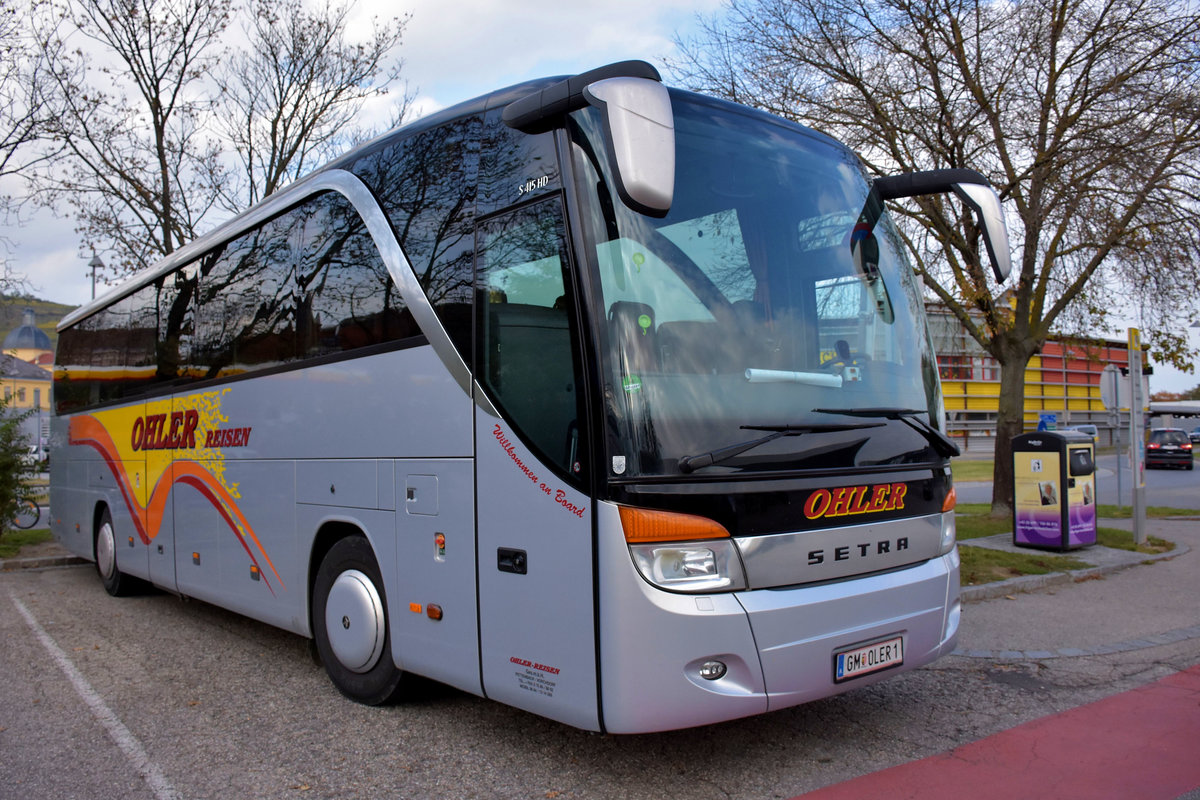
(739, 328)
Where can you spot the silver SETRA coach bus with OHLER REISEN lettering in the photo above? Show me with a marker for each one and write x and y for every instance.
(608, 402)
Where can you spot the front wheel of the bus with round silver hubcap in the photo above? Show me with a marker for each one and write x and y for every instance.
(358, 655)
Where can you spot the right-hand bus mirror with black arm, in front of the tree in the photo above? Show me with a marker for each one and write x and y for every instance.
(974, 190)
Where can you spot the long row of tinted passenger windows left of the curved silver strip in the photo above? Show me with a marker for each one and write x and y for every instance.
(309, 284)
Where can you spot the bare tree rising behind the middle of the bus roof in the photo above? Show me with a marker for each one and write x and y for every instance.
(293, 97)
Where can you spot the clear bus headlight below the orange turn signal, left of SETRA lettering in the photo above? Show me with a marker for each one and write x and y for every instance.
(692, 567)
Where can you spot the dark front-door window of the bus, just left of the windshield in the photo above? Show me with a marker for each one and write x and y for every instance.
(527, 352)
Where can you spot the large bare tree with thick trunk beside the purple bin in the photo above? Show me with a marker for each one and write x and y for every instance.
(1084, 113)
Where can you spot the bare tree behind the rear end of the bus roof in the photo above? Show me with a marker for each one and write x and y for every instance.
(139, 169)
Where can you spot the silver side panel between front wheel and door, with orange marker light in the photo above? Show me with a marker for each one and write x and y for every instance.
(436, 570)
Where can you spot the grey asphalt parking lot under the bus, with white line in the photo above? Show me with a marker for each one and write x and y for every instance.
(157, 697)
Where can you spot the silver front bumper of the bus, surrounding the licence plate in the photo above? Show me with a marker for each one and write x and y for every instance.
(778, 647)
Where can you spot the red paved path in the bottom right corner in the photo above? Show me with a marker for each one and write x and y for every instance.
(1141, 744)
